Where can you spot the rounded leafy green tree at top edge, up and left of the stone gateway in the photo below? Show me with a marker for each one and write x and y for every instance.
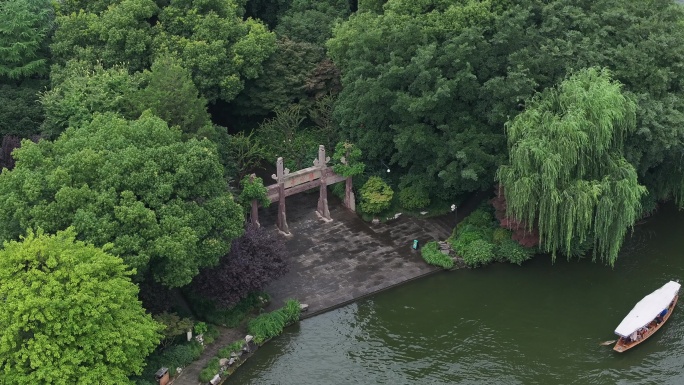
(213, 41)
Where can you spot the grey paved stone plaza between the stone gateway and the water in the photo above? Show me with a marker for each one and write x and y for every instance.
(334, 263)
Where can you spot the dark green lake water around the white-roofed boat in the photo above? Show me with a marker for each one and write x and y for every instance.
(503, 324)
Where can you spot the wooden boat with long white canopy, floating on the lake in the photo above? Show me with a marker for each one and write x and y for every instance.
(647, 316)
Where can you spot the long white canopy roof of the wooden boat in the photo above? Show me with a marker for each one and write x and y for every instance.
(647, 309)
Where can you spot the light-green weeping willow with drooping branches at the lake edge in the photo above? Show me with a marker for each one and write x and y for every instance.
(567, 173)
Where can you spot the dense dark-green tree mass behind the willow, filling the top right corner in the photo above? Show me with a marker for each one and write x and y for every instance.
(429, 84)
